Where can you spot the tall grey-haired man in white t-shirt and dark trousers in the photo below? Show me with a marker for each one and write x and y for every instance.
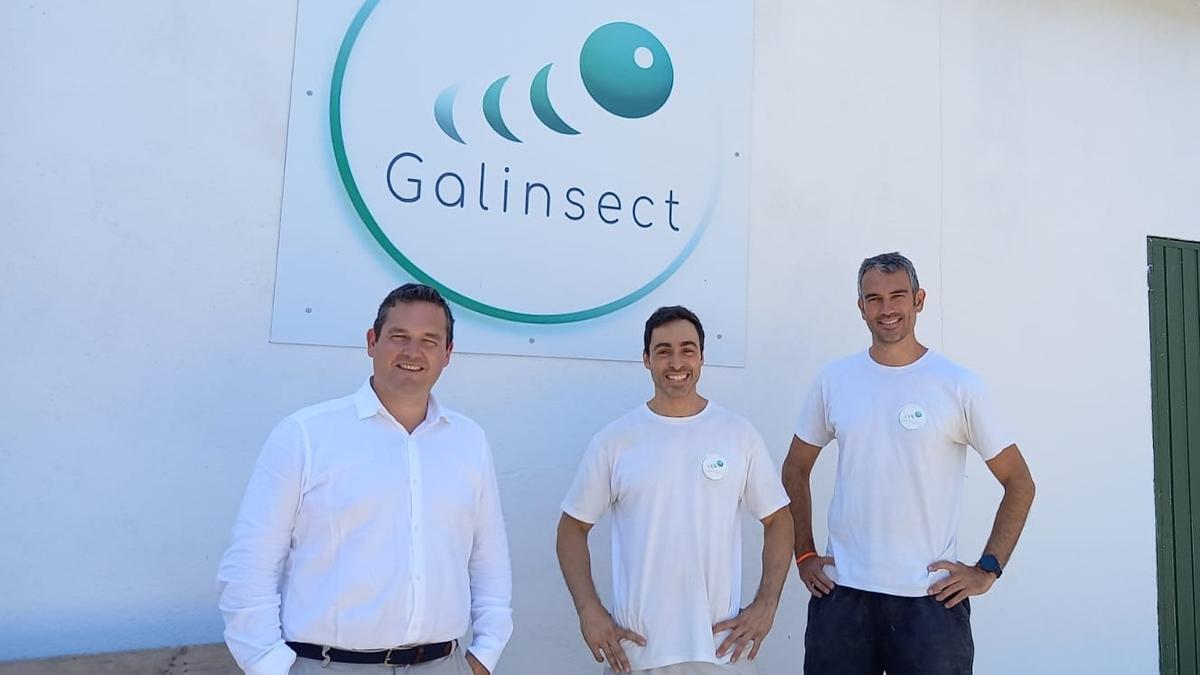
(890, 593)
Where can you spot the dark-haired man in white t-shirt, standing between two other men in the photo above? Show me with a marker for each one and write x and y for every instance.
(675, 473)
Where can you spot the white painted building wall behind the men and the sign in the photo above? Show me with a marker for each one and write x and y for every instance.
(1021, 152)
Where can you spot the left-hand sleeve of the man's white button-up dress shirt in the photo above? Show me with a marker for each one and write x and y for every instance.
(251, 569)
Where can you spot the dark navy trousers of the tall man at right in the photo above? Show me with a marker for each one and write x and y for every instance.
(855, 632)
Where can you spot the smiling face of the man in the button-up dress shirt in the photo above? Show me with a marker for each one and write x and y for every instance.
(411, 349)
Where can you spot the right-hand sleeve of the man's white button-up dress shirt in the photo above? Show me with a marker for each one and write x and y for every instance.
(491, 575)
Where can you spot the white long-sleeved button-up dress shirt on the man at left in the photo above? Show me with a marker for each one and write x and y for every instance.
(356, 535)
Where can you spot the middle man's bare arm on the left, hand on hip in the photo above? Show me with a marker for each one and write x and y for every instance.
(601, 632)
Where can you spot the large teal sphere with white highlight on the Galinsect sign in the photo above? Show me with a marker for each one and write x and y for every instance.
(627, 70)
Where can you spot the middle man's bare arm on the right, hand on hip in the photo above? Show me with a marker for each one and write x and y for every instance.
(753, 624)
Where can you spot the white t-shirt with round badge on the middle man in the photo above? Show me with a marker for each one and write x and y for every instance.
(675, 487)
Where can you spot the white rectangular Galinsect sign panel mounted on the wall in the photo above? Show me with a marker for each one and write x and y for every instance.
(559, 171)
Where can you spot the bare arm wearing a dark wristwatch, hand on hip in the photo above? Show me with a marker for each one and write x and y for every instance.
(1013, 475)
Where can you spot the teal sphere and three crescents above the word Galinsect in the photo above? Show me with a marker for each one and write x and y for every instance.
(625, 68)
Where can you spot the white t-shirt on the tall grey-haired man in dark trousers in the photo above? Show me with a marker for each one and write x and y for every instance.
(902, 435)
